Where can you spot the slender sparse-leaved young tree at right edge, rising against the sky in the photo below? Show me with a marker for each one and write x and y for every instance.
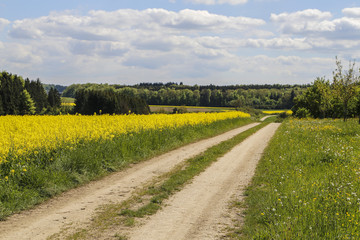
(344, 85)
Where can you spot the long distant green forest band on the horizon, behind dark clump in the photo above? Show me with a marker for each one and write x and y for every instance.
(268, 97)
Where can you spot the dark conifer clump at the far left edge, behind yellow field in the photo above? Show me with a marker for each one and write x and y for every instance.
(25, 97)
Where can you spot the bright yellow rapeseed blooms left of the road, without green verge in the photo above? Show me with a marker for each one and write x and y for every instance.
(23, 134)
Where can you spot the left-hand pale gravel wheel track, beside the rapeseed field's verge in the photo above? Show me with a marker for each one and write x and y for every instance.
(76, 207)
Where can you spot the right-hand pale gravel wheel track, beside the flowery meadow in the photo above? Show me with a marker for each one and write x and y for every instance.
(197, 212)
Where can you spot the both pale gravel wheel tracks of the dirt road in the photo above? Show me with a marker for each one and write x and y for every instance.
(76, 207)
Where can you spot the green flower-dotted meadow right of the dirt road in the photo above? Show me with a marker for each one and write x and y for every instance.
(307, 185)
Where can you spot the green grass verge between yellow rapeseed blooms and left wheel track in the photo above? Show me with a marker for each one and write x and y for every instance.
(50, 173)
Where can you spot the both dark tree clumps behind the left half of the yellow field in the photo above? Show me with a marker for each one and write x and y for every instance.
(28, 97)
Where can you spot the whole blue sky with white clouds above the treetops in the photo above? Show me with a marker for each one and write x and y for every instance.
(218, 42)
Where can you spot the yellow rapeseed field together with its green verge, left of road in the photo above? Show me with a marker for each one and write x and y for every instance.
(42, 156)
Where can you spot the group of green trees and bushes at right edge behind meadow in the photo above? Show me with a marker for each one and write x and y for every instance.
(339, 98)
